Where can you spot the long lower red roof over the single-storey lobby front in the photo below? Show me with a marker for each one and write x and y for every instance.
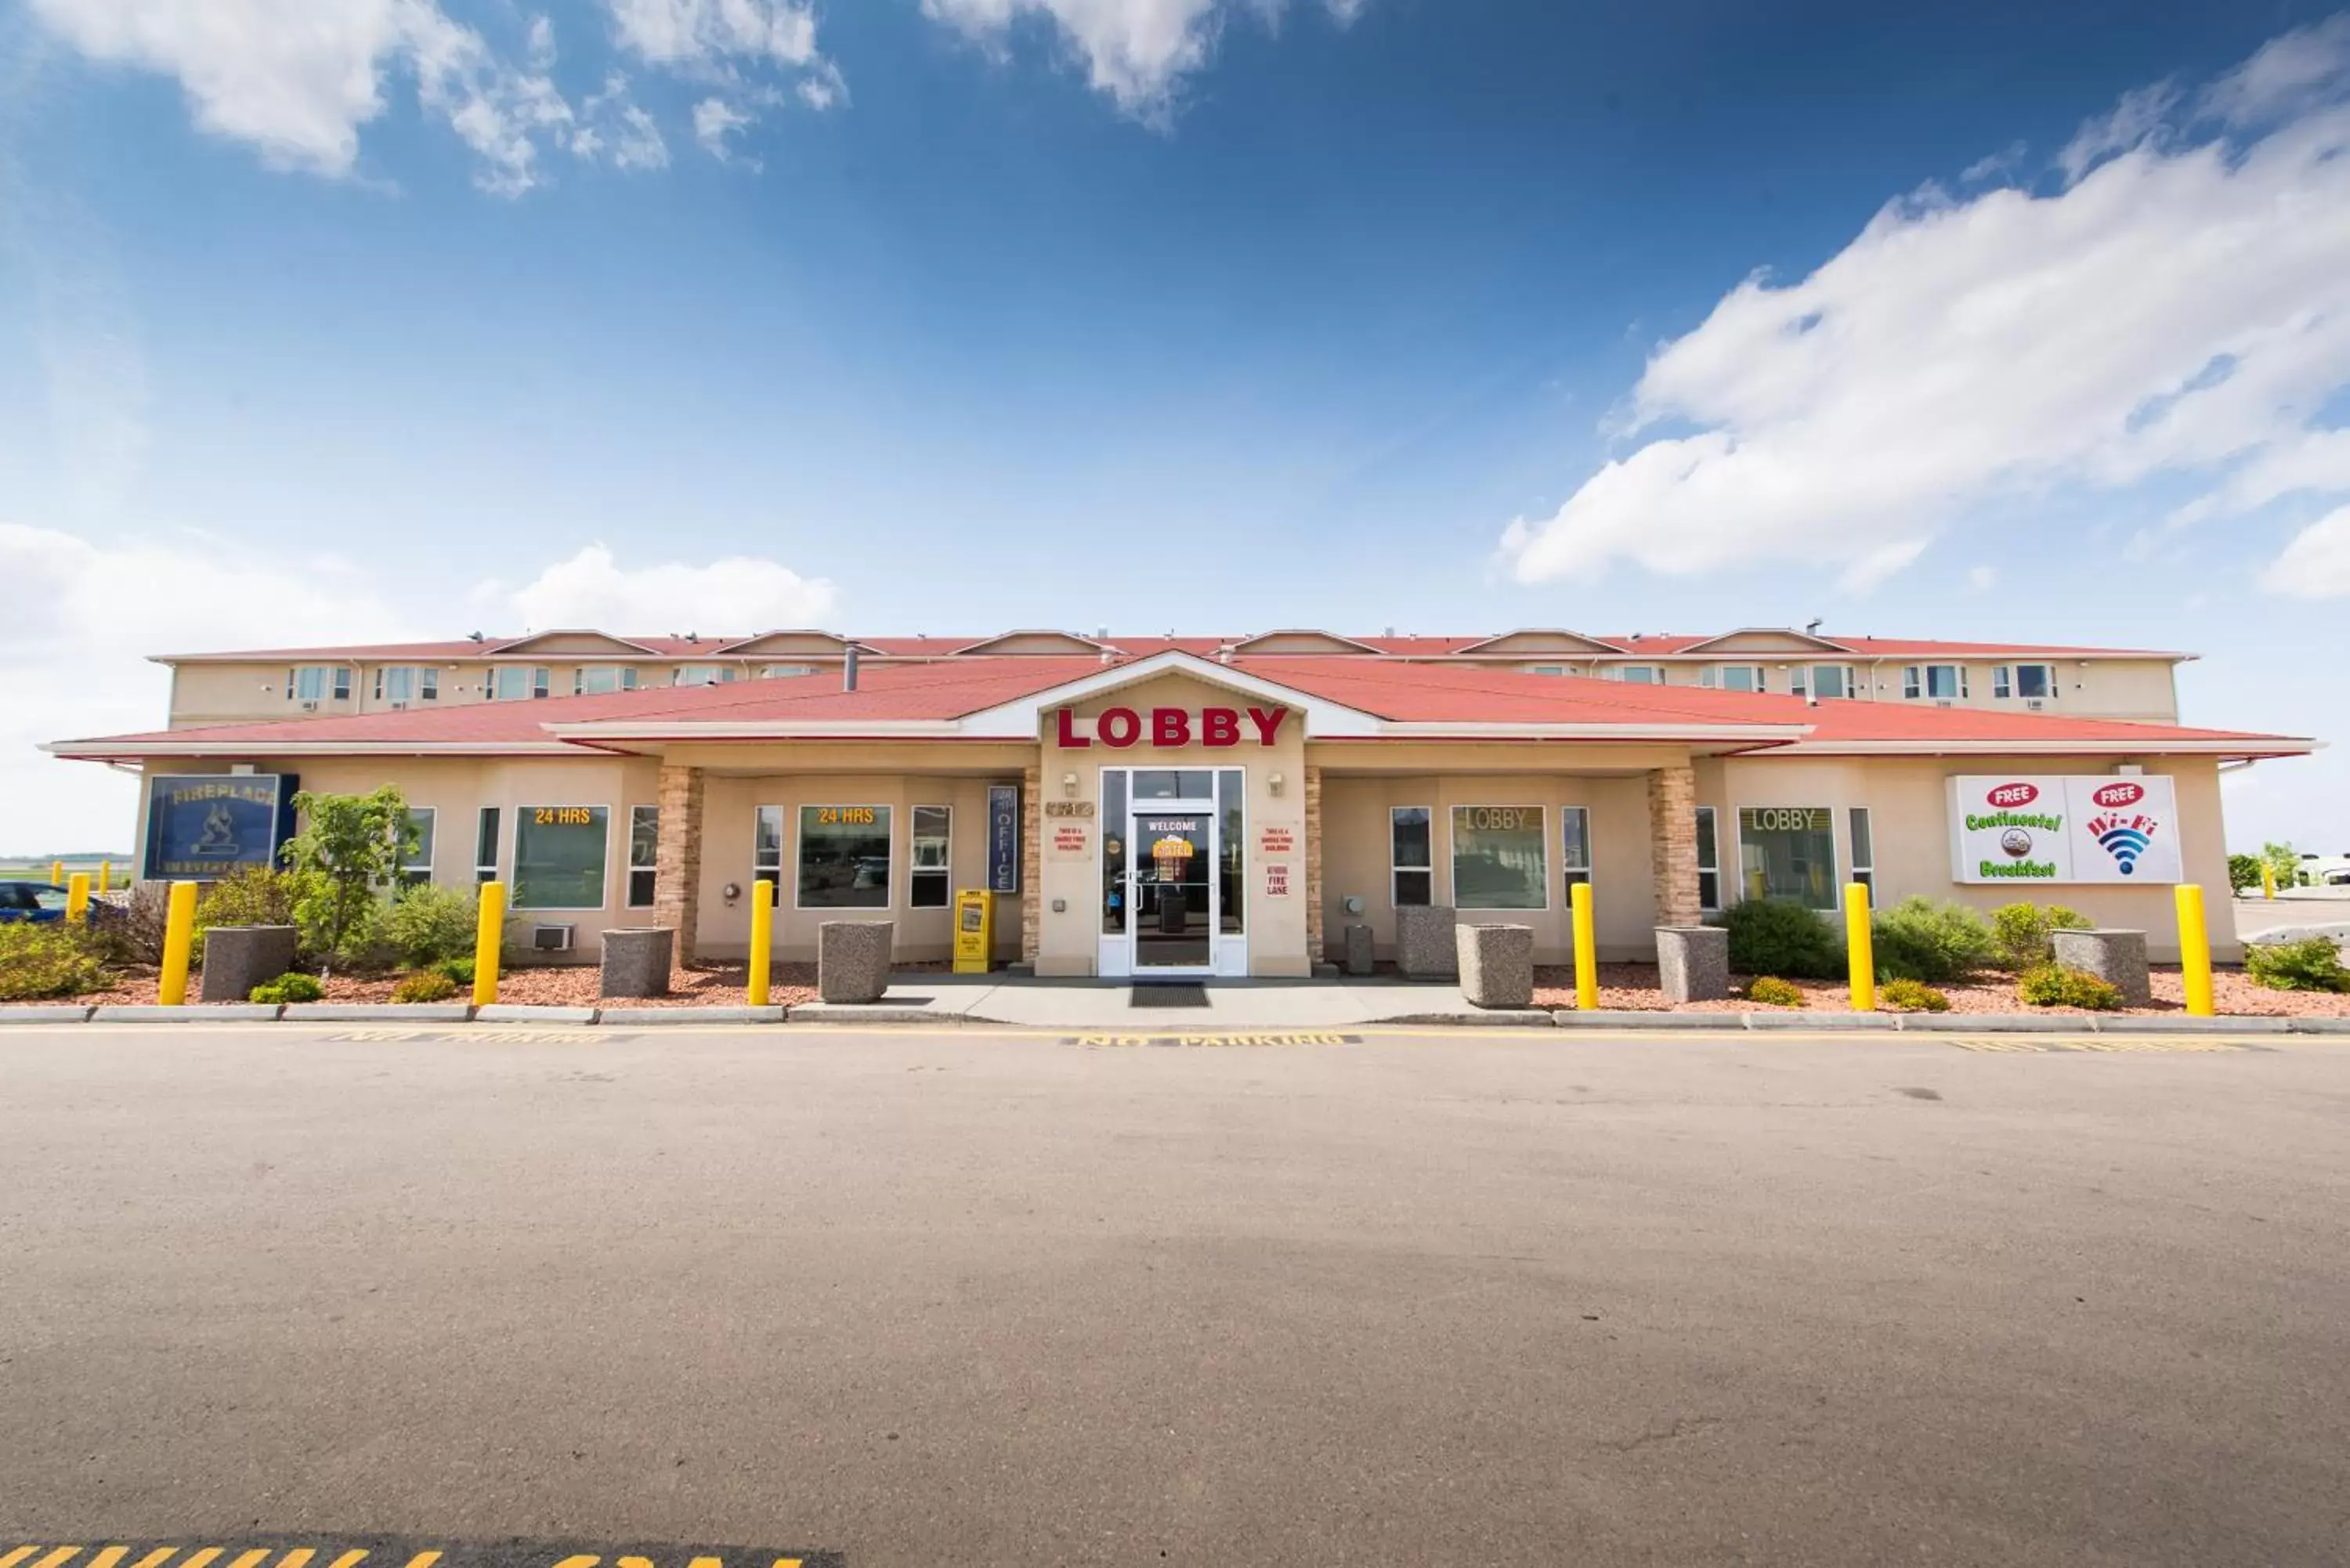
(1392, 692)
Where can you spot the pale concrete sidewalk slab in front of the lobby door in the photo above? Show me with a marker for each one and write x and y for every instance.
(1122, 1005)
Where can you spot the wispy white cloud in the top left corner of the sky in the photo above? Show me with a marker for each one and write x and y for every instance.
(297, 79)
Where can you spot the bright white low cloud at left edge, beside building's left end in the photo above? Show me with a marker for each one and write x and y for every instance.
(83, 617)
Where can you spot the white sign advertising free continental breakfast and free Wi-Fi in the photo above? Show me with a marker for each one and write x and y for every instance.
(2102, 829)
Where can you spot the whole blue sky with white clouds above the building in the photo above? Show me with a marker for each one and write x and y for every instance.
(1171, 314)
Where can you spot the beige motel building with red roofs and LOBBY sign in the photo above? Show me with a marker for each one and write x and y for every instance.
(1209, 805)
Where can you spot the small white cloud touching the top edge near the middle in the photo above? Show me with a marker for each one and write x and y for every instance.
(1134, 51)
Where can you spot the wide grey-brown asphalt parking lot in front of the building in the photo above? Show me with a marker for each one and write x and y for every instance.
(962, 1299)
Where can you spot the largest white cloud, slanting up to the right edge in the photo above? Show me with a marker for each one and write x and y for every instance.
(2182, 309)
